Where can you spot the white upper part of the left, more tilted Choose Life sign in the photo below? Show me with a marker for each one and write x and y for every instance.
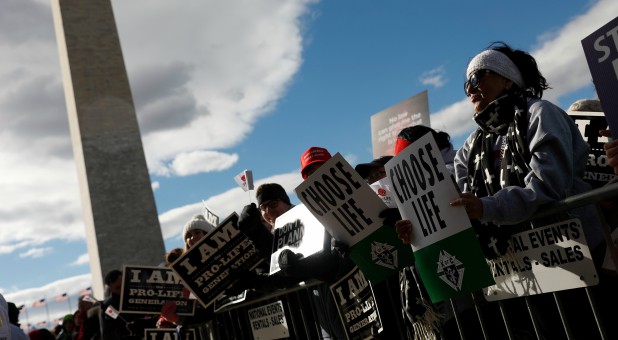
(342, 201)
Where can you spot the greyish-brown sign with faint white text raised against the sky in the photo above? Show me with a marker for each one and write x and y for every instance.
(386, 124)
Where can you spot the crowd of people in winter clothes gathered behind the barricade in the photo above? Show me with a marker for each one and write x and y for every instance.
(505, 171)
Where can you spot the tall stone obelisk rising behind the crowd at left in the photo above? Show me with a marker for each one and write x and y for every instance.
(120, 216)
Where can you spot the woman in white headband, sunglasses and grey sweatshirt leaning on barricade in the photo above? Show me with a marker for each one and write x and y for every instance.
(525, 153)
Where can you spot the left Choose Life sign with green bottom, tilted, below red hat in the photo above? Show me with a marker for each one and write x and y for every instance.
(349, 209)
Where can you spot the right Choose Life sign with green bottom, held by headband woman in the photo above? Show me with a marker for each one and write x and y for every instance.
(447, 252)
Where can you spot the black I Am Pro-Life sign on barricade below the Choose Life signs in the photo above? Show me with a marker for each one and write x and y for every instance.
(357, 306)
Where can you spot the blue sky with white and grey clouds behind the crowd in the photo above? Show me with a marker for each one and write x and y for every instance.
(223, 86)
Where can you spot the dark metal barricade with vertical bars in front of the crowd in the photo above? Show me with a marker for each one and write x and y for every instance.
(302, 314)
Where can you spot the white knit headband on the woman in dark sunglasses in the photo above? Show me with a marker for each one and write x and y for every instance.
(497, 62)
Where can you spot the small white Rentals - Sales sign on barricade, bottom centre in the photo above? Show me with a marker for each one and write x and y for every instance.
(268, 321)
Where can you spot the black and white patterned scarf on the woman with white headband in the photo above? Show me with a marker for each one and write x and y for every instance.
(505, 117)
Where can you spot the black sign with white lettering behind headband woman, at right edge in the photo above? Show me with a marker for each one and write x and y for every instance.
(598, 172)
